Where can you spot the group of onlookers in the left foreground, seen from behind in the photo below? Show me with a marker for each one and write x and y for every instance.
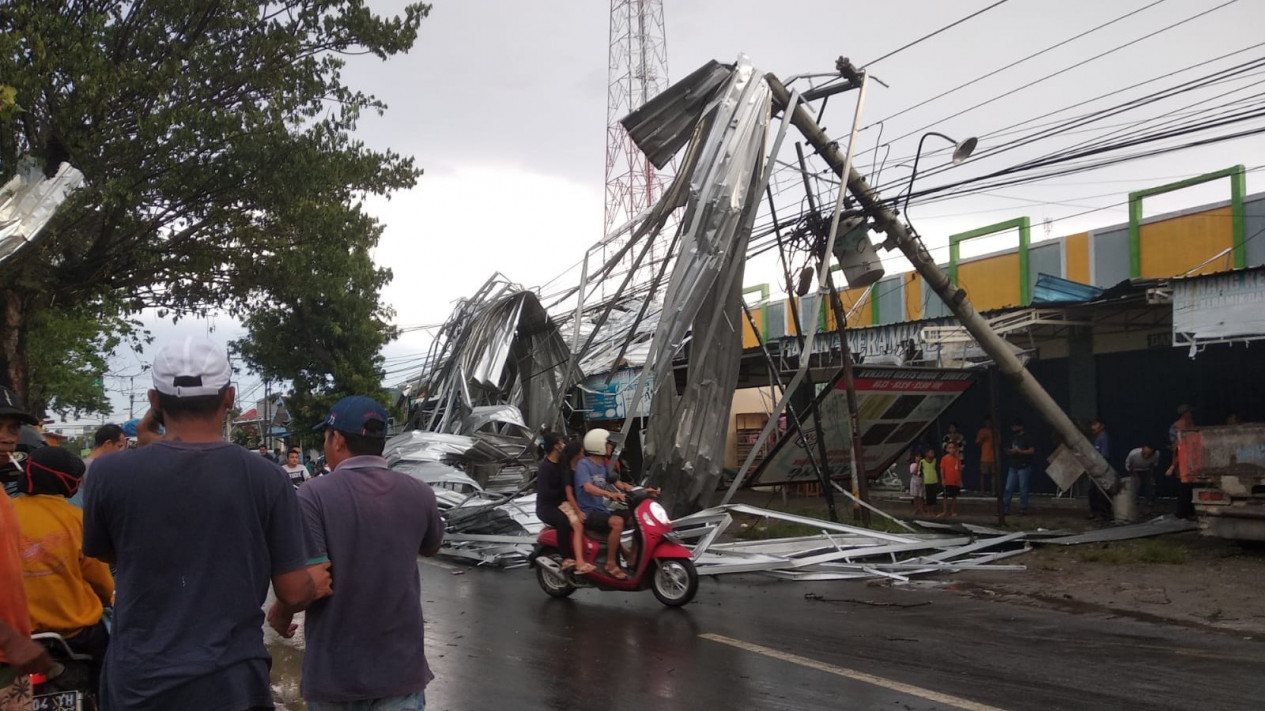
(185, 535)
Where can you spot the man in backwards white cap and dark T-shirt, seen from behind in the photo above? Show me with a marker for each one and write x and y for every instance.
(199, 528)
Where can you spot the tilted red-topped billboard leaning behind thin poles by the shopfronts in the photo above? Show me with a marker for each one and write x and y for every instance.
(895, 405)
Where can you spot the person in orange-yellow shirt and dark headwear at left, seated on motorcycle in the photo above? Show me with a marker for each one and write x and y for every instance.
(66, 591)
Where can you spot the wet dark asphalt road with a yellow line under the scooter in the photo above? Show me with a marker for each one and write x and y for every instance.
(495, 641)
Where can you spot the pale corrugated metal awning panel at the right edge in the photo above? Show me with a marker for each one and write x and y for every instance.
(1221, 307)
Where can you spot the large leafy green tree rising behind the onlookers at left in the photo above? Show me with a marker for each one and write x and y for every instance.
(222, 173)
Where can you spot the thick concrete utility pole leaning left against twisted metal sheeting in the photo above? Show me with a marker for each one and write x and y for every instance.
(956, 298)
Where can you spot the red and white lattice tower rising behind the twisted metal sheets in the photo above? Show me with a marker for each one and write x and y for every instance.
(638, 73)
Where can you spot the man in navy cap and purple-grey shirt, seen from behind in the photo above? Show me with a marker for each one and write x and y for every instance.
(365, 642)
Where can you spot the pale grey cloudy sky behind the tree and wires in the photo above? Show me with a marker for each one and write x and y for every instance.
(504, 106)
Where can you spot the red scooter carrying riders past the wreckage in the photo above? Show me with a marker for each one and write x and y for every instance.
(662, 565)
